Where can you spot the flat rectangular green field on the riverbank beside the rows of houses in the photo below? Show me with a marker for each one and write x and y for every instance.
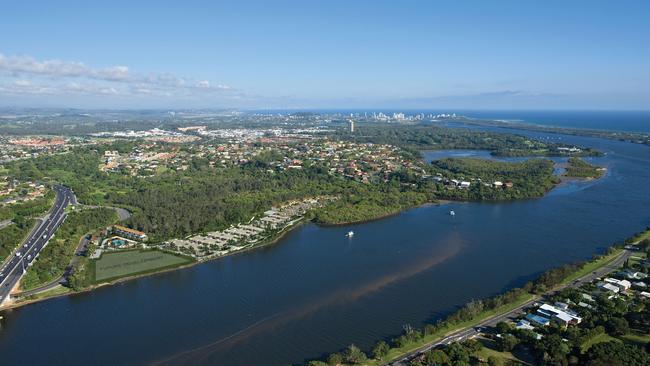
(132, 262)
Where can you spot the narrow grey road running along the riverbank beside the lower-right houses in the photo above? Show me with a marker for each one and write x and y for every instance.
(475, 330)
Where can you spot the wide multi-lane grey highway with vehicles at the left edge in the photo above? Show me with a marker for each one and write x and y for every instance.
(14, 268)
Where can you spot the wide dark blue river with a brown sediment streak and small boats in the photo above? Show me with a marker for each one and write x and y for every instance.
(317, 291)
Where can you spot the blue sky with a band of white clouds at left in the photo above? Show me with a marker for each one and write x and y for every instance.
(580, 54)
